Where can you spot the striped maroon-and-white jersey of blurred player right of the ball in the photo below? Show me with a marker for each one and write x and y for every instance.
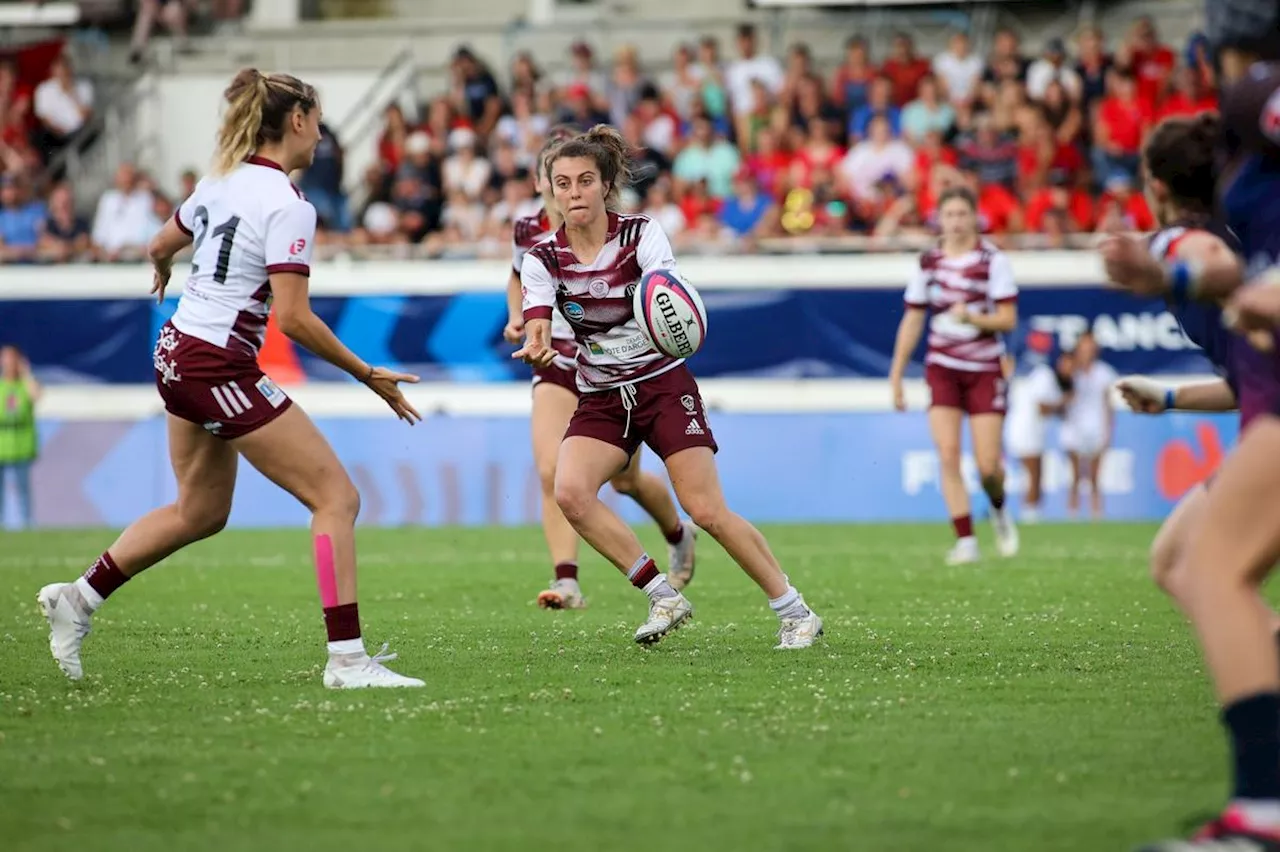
(981, 278)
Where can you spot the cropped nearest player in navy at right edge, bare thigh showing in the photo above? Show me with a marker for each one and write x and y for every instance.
(1236, 540)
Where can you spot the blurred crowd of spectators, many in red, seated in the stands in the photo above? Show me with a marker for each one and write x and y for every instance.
(729, 150)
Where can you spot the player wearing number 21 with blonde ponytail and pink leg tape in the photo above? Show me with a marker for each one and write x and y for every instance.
(253, 235)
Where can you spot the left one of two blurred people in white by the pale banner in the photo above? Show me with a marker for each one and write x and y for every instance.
(1035, 397)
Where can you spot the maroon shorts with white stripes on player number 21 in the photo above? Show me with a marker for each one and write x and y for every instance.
(221, 390)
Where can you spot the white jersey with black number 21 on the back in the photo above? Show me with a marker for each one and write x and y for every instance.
(248, 225)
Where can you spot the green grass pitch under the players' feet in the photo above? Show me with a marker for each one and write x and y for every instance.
(1055, 702)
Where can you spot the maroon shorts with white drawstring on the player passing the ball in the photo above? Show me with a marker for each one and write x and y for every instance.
(668, 415)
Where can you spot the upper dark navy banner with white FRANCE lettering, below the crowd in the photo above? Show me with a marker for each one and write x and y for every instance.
(752, 333)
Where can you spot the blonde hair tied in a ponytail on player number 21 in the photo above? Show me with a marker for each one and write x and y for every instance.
(258, 108)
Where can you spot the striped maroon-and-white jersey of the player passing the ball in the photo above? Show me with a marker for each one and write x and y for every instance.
(596, 300)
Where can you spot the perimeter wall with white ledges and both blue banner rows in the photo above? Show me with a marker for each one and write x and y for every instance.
(803, 439)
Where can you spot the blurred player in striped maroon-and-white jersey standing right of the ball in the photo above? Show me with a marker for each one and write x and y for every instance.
(968, 286)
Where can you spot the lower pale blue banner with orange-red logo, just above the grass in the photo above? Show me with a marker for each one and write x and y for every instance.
(479, 471)
